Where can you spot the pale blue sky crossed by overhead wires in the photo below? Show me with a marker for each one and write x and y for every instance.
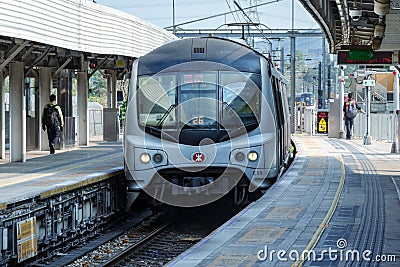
(276, 14)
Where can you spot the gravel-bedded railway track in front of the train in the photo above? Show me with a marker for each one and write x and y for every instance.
(158, 239)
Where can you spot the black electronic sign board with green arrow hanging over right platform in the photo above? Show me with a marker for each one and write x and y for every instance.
(364, 57)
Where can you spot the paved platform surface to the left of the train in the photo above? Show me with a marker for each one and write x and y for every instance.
(43, 174)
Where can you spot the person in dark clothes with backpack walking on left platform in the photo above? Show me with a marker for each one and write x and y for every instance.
(52, 121)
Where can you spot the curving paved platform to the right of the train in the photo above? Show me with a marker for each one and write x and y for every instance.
(338, 205)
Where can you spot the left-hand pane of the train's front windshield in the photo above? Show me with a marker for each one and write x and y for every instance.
(156, 100)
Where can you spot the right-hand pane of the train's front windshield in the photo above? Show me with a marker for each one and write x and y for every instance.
(241, 99)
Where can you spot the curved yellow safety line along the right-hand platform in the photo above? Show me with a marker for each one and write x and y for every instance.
(317, 235)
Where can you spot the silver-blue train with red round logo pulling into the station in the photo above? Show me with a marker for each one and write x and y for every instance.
(205, 117)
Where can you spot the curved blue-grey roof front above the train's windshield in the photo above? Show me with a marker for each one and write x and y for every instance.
(227, 52)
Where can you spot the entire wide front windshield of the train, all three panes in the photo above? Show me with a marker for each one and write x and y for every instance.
(199, 100)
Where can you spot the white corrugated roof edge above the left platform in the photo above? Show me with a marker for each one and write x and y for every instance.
(80, 25)
